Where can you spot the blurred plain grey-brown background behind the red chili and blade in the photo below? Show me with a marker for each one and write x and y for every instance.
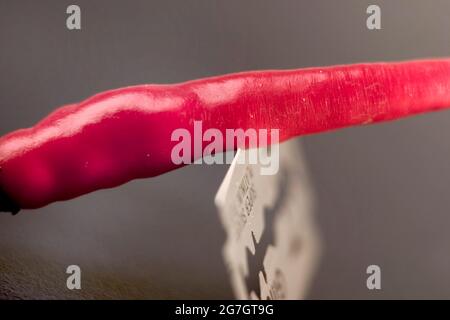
(382, 190)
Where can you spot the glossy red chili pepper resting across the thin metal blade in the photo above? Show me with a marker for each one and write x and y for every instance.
(125, 134)
